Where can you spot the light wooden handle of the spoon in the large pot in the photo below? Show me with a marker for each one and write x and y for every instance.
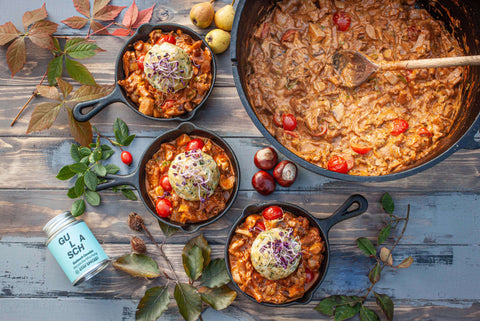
(431, 63)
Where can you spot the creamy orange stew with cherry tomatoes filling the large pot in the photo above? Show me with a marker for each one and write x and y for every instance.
(379, 127)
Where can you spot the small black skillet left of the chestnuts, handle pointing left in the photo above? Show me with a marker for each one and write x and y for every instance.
(137, 179)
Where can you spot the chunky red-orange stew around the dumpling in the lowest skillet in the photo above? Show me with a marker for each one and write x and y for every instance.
(293, 286)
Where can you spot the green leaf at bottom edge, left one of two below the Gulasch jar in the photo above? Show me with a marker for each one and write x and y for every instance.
(153, 304)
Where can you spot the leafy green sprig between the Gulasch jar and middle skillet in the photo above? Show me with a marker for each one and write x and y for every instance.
(89, 170)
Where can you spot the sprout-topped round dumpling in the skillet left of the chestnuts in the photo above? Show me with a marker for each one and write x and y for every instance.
(194, 175)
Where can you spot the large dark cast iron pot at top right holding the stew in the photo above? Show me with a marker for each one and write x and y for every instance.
(460, 17)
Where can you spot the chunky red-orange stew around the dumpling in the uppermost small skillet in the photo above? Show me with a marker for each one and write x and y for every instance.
(151, 101)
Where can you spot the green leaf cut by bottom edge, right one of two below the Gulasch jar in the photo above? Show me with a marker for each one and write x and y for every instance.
(188, 300)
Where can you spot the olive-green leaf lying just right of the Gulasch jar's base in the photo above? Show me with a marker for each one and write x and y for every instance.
(138, 265)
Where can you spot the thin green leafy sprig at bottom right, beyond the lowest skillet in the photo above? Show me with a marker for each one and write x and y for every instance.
(343, 307)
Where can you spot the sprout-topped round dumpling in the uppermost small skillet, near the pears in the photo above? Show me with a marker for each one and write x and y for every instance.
(167, 67)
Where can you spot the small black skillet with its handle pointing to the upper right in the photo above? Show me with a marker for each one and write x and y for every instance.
(344, 212)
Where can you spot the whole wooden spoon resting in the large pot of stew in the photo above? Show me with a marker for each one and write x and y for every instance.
(354, 67)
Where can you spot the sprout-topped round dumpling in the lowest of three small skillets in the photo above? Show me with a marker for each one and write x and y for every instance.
(275, 253)
